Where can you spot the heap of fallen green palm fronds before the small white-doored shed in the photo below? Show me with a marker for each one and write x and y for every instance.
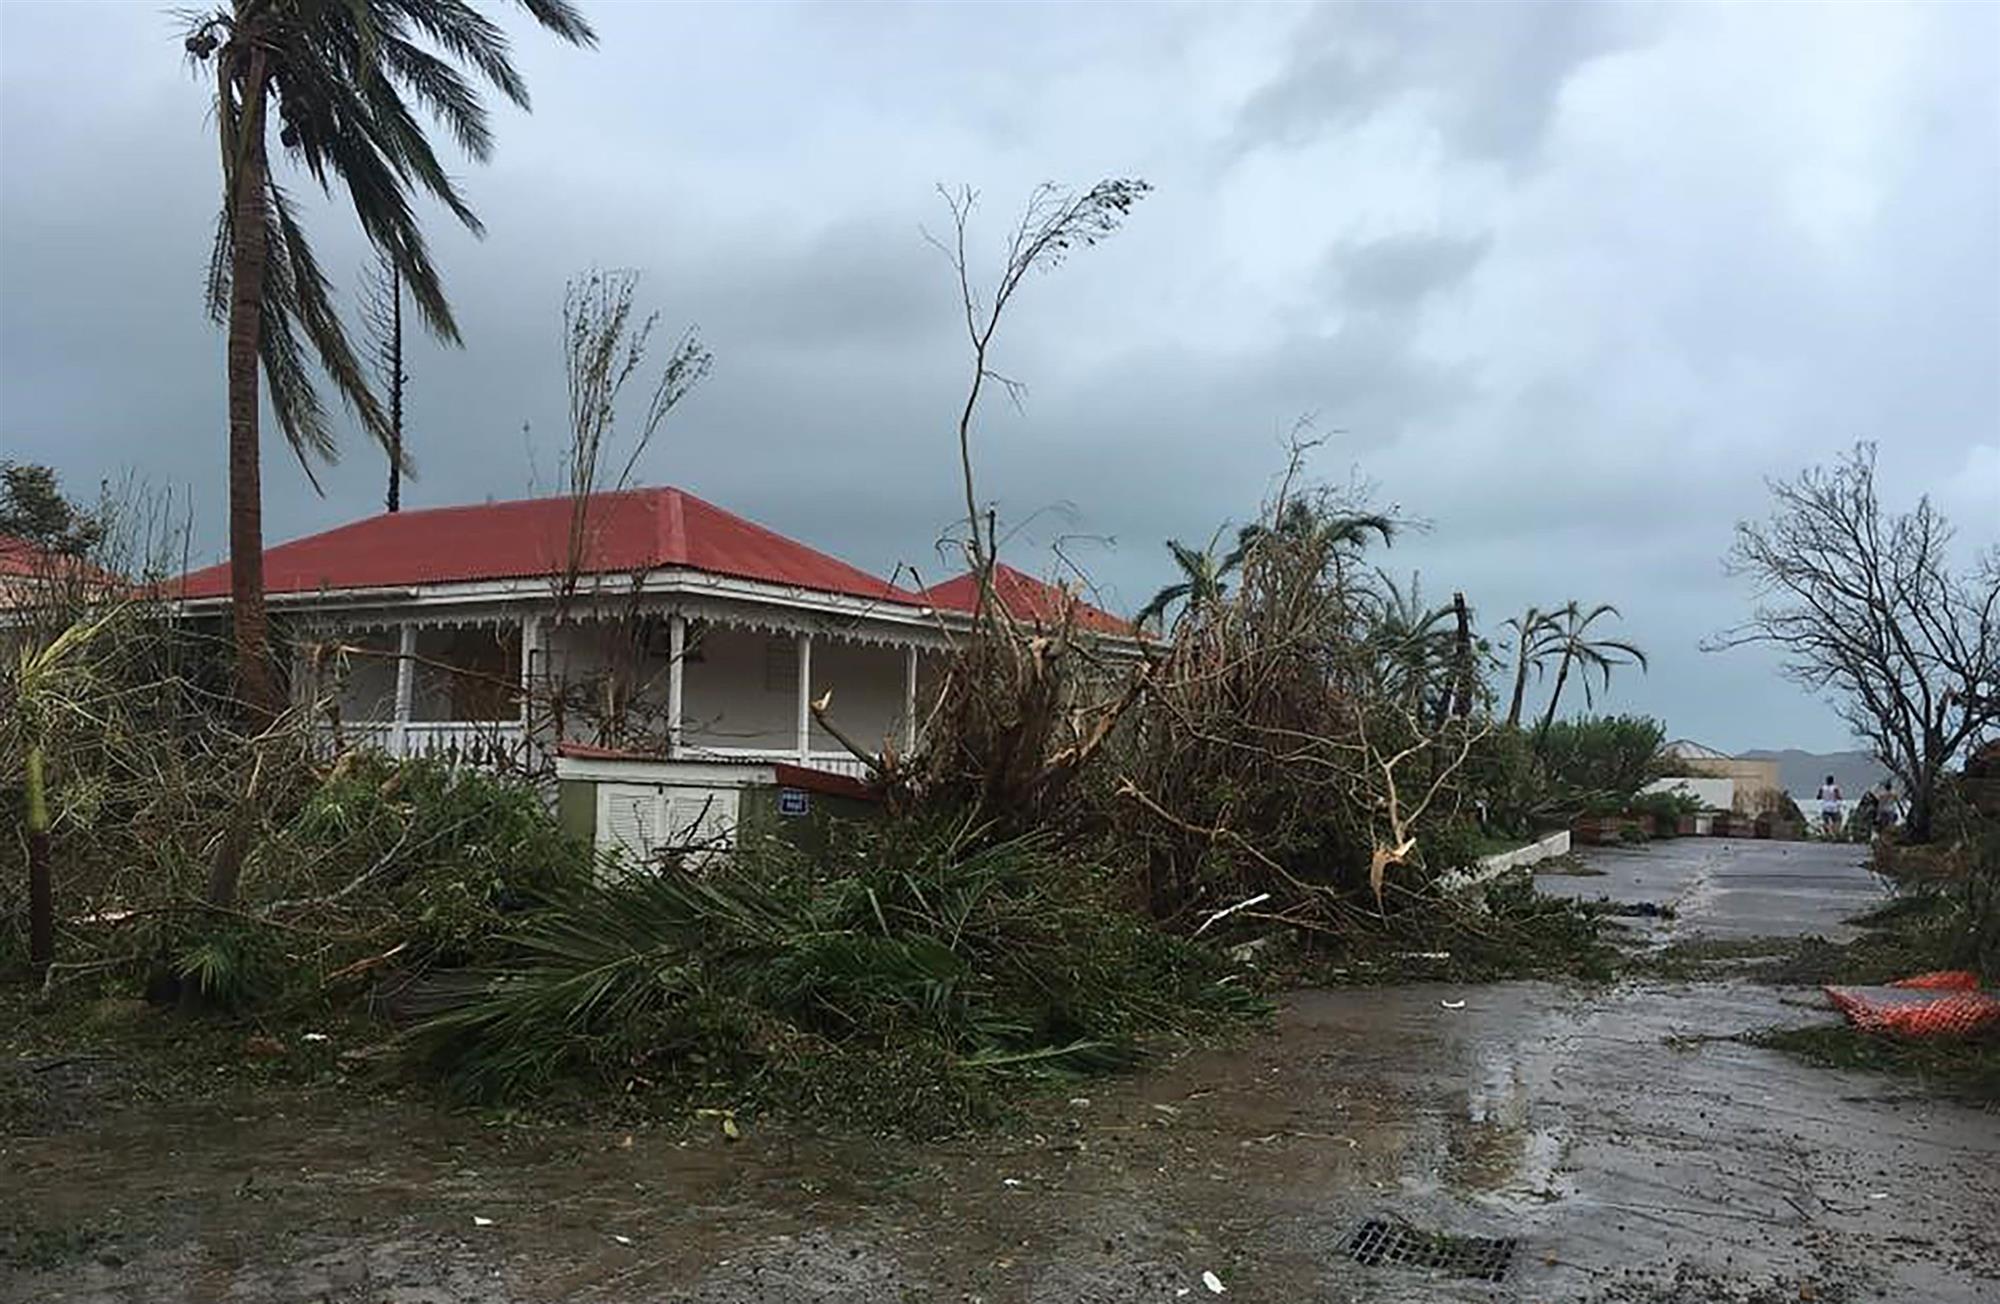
(915, 939)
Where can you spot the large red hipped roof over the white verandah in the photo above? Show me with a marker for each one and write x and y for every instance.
(625, 533)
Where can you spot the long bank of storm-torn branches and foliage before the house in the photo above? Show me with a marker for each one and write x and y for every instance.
(1097, 853)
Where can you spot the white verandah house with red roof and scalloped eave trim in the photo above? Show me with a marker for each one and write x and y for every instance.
(647, 621)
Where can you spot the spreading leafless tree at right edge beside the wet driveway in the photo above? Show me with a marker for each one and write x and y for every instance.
(1869, 609)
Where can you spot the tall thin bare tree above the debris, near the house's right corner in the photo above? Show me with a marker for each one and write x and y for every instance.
(1055, 223)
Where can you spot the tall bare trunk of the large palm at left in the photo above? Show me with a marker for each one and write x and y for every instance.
(255, 681)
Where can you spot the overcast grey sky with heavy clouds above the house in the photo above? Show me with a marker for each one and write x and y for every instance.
(1565, 281)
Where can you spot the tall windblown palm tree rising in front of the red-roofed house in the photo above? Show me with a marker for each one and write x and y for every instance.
(345, 77)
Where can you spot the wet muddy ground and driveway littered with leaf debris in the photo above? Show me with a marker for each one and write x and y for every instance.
(1617, 1135)
